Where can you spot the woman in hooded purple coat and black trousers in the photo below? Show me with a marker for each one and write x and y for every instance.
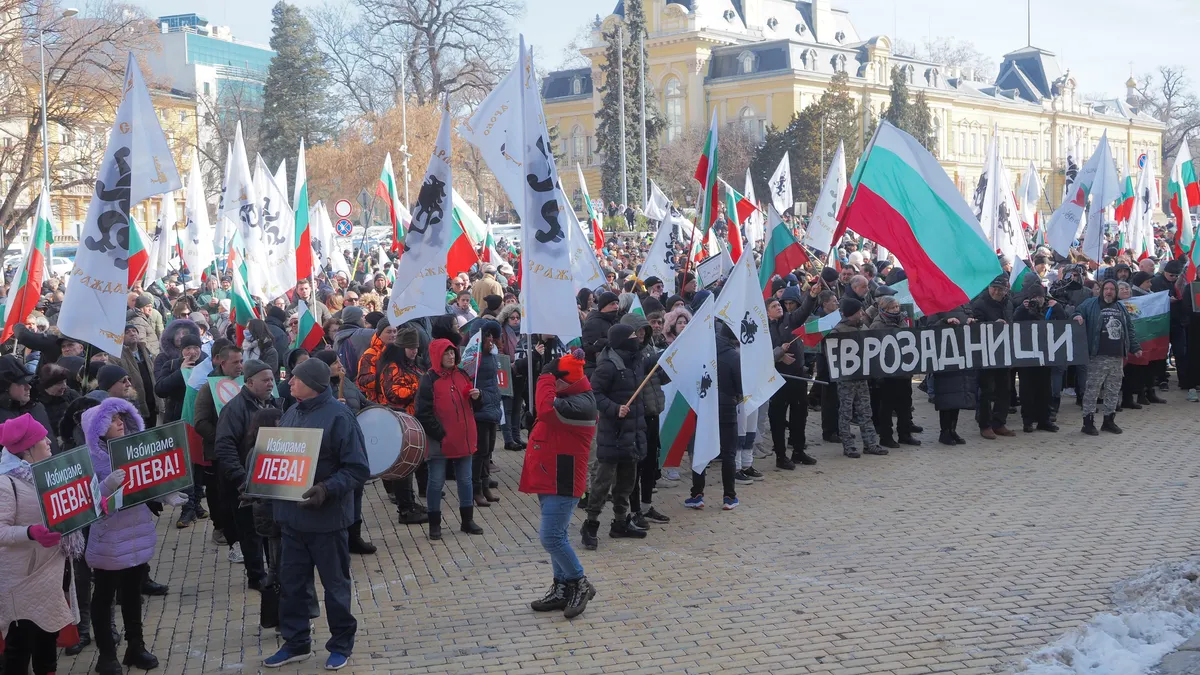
(119, 546)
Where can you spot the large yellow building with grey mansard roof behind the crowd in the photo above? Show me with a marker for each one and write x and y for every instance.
(759, 62)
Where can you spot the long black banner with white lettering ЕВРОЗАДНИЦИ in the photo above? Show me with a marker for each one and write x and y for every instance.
(909, 351)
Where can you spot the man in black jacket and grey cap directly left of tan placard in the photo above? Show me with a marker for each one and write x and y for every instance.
(233, 447)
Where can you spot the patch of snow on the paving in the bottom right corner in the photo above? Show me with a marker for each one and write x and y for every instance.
(1155, 613)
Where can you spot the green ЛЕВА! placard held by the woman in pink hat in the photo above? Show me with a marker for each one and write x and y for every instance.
(68, 491)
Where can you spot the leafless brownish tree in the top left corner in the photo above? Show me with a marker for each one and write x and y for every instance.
(86, 62)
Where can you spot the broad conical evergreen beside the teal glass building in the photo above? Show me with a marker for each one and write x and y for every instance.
(296, 100)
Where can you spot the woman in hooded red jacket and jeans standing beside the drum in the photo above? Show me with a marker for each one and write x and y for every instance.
(446, 408)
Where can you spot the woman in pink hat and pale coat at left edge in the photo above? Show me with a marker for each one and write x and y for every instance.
(34, 604)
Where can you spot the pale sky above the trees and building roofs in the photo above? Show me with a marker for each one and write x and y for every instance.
(1091, 39)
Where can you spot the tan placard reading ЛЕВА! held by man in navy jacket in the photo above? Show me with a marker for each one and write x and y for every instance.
(284, 463)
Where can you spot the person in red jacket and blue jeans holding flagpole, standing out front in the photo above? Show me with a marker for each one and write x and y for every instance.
(556, 469)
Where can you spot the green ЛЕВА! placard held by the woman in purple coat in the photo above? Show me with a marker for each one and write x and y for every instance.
(157, 463)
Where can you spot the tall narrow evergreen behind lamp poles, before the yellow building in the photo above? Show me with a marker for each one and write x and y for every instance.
(609, 128)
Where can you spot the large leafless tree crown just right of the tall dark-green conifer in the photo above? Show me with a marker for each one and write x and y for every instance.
(448, 47)
